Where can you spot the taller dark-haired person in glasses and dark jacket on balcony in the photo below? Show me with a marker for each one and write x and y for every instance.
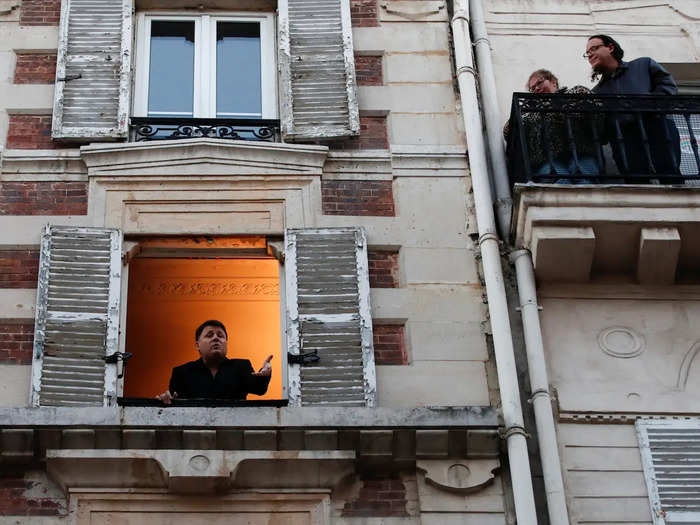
(642, 76)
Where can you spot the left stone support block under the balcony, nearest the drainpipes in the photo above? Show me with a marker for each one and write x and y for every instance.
(563, 254)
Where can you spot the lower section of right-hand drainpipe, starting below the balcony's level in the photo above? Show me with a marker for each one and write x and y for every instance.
(541, 400)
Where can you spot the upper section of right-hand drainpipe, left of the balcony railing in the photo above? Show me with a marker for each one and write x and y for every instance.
(494, 126)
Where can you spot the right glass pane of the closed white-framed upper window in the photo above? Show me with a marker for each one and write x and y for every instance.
(238, 84)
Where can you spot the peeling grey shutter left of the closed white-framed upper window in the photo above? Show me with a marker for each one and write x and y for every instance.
(91, 100)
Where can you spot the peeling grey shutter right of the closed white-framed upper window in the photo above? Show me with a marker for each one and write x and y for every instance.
(318, 93)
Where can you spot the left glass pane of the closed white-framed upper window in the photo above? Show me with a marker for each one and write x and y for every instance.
(171, 72)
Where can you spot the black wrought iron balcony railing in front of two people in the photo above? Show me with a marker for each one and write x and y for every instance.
(629, 139)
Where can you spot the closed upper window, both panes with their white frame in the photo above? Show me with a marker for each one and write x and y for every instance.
(205, 66)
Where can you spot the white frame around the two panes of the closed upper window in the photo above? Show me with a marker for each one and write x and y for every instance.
(204, 104)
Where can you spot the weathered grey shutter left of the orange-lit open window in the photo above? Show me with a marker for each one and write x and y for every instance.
(77, 317)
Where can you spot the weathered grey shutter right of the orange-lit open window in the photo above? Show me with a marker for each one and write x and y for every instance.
(328, 311)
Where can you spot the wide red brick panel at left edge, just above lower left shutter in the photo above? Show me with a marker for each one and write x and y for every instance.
(43, 198)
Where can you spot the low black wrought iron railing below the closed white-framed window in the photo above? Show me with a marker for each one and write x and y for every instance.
(152, 128)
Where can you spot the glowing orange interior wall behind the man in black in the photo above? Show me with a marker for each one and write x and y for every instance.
(169, 298)
